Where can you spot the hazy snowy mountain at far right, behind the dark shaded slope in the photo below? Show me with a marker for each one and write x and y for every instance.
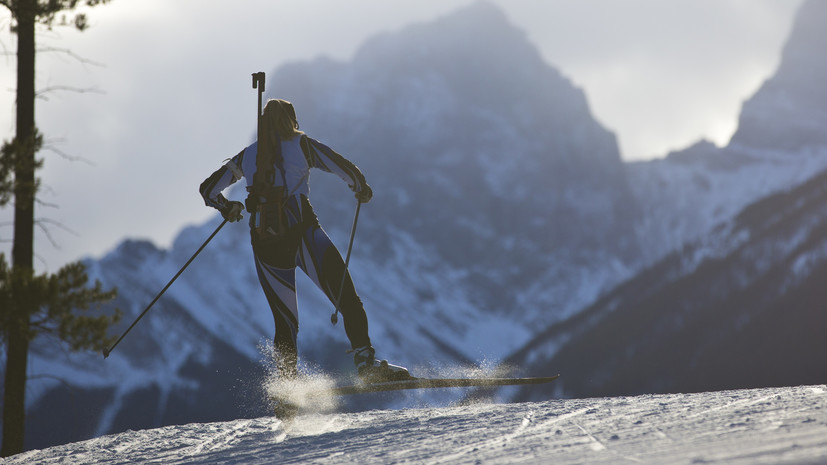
(779, 143)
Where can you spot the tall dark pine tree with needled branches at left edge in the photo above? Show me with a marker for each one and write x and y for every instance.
(32, 304)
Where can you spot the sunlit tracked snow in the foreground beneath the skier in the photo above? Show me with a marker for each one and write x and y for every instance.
(773, 426)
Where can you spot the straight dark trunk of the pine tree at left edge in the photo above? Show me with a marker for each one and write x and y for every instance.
(14, 403)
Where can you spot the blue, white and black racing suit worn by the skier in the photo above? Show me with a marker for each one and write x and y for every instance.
(305, 244)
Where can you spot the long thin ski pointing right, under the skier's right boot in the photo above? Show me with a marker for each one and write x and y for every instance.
(430, 383)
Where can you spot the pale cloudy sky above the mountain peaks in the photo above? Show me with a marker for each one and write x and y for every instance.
(146, 103)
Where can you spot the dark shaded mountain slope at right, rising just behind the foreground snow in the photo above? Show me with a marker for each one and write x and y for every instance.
(744, 306)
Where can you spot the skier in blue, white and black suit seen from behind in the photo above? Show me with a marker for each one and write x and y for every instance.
(285, 233)
